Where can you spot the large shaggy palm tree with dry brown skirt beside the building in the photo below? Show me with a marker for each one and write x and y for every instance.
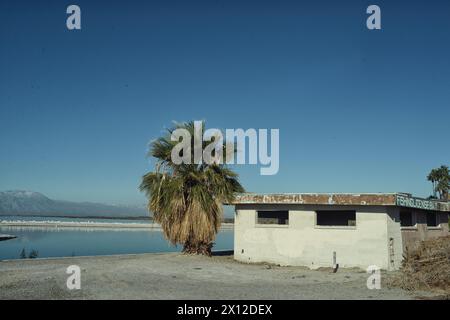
(186, 199)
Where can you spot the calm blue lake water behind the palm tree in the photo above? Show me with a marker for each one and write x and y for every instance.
(66, 242)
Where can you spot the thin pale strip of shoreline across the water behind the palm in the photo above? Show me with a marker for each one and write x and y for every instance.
(89, 224)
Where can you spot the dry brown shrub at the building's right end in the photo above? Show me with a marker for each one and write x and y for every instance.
(427, 267)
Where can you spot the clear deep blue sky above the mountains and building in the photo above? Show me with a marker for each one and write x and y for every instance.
(357, 110)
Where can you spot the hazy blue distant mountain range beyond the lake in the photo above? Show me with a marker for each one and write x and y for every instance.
(28, 203)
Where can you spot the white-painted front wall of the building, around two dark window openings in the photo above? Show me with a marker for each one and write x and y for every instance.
(302, 243)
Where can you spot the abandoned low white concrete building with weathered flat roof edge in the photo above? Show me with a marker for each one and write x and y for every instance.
(322, 230)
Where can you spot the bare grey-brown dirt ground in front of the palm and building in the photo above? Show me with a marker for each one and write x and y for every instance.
(176, 276)
